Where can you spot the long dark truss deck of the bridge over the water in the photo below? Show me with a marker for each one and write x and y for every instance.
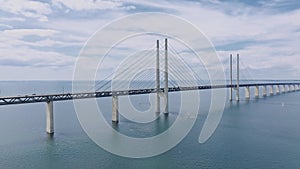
(70, 96)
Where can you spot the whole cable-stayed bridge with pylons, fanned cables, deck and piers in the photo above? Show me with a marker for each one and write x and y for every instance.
(167, 71)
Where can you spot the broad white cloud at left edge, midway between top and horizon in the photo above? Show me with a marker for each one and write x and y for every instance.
(17, 52)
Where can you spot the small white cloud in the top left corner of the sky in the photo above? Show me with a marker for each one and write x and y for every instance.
(27, 8)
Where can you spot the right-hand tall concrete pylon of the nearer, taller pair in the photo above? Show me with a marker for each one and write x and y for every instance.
(166, 87)
